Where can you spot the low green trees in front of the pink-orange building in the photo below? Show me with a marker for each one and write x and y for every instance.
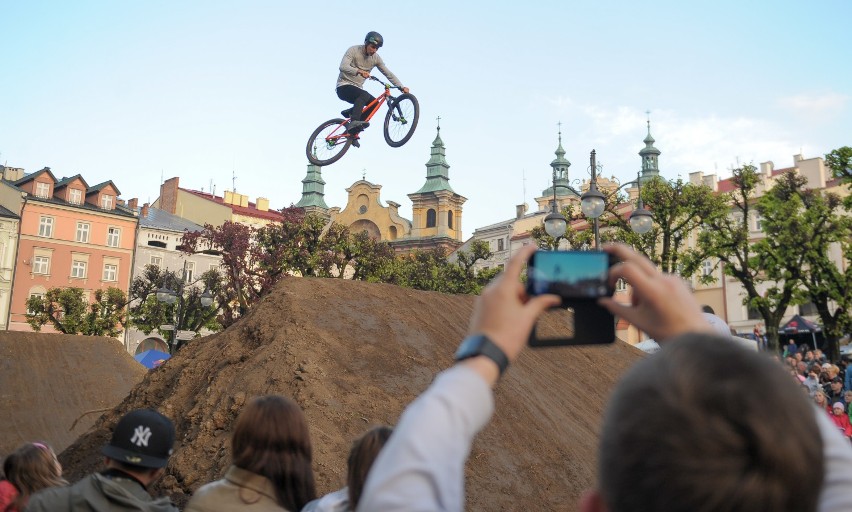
(68, 312)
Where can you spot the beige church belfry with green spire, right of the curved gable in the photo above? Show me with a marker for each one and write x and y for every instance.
(436, 207)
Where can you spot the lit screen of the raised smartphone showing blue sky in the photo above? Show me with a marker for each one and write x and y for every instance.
(569, 274)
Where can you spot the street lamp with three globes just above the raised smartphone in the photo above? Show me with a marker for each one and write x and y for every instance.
(593, 205)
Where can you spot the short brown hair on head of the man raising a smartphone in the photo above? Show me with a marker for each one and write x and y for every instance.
(701, 426)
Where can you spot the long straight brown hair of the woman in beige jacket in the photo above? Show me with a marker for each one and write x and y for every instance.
(271, 439)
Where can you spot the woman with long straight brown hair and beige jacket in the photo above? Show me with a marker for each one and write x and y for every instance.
(271, 462)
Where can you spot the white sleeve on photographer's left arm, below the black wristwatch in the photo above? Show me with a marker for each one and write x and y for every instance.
(421, 468)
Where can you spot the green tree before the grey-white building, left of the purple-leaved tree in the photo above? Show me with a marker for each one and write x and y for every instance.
(147, 313)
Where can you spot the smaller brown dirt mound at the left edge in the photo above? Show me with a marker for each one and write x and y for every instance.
(47, 381)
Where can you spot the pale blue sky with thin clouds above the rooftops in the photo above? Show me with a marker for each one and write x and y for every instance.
(224, 94)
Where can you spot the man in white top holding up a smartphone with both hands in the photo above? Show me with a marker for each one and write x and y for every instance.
(422, 465)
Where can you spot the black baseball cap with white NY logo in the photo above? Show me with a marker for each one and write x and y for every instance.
(142, 438)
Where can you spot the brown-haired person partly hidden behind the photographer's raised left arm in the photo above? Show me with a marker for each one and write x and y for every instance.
(364, 451)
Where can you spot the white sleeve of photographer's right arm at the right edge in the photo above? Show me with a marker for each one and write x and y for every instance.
(836, 495)
